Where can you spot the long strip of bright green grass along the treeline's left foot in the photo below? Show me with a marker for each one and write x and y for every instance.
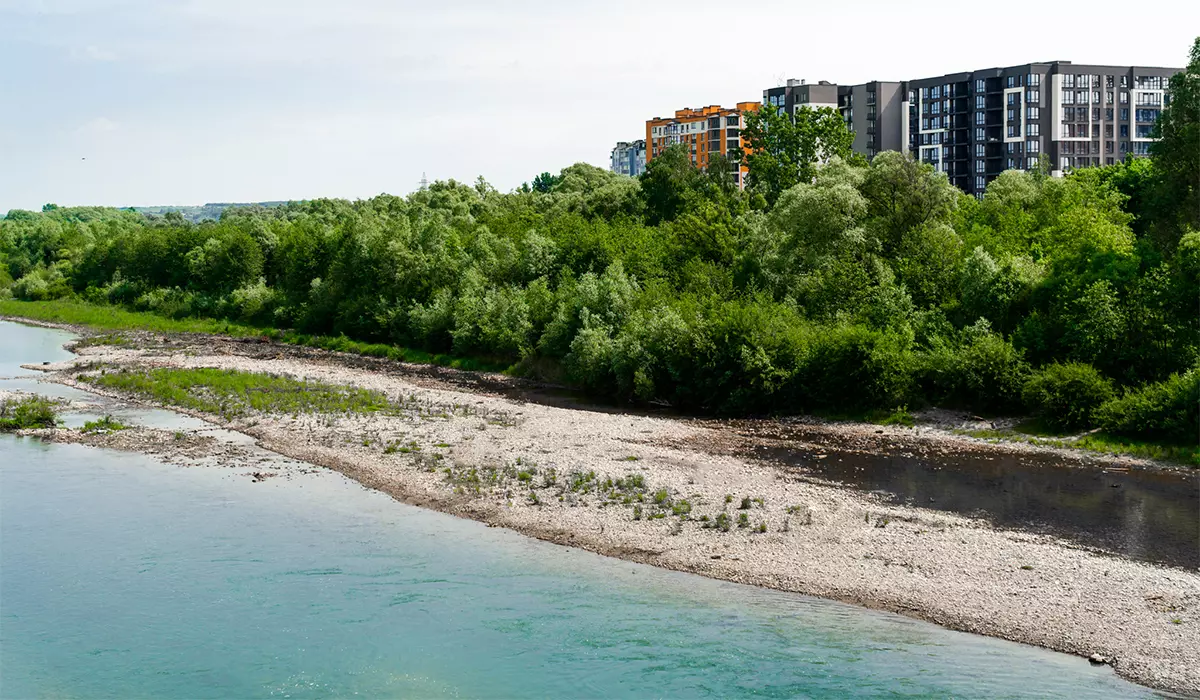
(115, 319)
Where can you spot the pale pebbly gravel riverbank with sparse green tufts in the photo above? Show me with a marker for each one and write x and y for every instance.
(685, 495)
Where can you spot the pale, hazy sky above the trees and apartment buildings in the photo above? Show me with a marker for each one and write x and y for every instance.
(152, 103)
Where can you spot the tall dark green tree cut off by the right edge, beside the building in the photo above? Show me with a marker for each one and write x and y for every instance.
(1178, 153)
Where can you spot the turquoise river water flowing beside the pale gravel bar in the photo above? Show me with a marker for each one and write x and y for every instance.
(122, 577)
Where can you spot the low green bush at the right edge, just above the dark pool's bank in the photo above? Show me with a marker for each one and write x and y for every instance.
(1168, 410)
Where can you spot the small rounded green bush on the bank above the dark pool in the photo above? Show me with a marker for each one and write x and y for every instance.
(1067, 396)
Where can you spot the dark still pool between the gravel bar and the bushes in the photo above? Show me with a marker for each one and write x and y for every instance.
(1144, 514)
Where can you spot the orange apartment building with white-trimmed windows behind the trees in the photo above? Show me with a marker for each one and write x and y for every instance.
(707, 133)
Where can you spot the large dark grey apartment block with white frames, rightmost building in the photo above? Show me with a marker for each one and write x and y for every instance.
(975, 125)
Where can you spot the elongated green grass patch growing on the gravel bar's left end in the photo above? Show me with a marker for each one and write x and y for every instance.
(231, 393)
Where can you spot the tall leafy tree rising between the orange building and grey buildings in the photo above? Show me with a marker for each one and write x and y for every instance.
(785, 149)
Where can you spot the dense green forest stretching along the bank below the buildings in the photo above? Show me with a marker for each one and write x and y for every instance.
(842, 289)
